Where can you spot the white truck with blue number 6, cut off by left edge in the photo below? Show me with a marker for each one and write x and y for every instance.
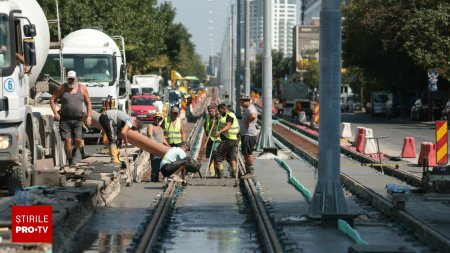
(30, 145)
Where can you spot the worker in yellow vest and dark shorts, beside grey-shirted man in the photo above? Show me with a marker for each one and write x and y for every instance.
(228, 133)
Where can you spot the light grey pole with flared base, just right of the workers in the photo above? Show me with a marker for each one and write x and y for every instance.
(266, 139)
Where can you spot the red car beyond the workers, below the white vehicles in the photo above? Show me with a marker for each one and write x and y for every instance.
(143, 108)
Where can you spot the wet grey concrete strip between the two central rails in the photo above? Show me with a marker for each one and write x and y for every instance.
(210, 219)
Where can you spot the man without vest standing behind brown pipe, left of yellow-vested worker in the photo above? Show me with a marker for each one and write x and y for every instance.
(155, 132)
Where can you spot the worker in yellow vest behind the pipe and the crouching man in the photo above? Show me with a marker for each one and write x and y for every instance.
(174, 128)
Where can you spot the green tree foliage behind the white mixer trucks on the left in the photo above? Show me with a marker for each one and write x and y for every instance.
(152, 39)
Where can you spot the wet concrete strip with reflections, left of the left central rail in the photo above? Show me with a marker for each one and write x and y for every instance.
(111, 229)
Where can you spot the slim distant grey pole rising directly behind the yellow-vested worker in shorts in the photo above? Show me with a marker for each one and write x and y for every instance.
(238, 61)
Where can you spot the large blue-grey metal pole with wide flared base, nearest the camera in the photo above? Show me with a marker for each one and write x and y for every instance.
(328, 196)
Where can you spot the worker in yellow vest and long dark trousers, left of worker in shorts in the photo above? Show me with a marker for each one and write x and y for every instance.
(211, 126)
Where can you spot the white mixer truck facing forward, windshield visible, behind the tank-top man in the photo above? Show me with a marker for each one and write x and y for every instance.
(99, 63)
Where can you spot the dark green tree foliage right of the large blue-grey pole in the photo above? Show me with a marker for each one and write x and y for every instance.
(395, 42)
